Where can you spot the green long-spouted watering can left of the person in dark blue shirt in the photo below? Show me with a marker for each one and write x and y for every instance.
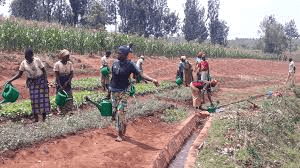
(104, 106)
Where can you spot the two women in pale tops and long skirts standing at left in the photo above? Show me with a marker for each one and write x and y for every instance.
(37, 81)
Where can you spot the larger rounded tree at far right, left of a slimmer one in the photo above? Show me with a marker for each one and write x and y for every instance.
(273, 35)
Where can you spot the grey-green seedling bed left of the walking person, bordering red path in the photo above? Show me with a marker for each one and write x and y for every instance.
(16, 135)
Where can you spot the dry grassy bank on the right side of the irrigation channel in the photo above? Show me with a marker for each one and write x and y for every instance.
(268, 137)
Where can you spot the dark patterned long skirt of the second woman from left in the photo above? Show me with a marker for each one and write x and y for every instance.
(69, 104)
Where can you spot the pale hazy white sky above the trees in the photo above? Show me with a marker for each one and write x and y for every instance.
(242, 16)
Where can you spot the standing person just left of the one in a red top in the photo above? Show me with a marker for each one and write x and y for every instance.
(185, 70)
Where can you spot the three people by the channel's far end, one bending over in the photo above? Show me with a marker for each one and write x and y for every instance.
(202, 85)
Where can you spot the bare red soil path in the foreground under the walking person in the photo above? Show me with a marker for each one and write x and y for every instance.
(145, 138)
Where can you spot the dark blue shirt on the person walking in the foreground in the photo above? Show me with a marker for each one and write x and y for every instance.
(121, 71)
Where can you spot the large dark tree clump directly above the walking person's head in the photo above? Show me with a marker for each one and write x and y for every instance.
(147, 17)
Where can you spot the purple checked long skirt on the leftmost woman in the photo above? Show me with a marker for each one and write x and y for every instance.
(39, 95)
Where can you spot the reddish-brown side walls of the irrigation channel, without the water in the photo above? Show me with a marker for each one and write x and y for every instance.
(167, 154)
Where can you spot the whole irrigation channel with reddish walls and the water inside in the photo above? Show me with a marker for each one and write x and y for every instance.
(181, 151)
